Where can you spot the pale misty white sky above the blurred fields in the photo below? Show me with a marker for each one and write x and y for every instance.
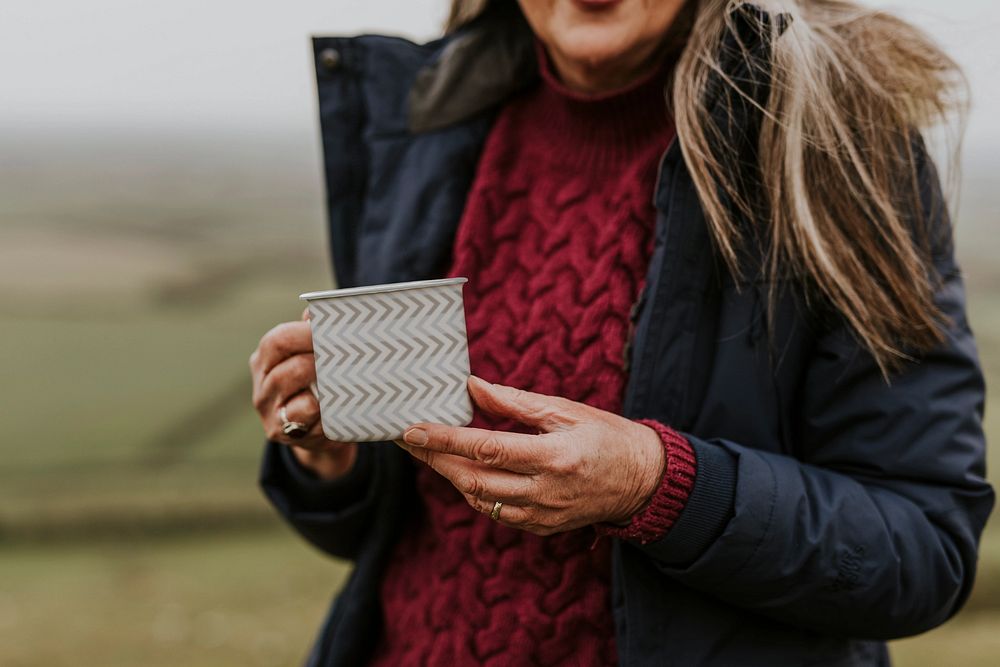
(245, 65)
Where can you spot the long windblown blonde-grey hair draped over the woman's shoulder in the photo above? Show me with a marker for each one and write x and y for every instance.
(835, 191)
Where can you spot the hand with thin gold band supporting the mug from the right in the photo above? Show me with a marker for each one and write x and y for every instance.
(585, 465)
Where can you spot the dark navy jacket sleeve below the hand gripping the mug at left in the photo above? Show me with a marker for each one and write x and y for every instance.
(333, 516)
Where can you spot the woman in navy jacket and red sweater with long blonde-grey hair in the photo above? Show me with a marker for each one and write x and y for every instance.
(729, 406)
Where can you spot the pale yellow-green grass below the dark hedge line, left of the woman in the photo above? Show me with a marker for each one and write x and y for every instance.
(251, 599)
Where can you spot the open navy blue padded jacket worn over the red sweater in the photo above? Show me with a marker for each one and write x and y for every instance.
(832, 510)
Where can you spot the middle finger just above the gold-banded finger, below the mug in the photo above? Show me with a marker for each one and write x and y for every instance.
(475, 479)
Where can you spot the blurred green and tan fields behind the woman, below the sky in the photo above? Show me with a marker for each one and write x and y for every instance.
(131, 528)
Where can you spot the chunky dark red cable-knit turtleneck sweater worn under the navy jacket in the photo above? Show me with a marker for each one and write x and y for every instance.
(555, 241)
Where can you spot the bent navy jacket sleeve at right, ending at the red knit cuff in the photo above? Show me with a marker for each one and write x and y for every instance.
(871, 529)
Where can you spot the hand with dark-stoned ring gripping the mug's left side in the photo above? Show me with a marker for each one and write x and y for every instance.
(283, 369)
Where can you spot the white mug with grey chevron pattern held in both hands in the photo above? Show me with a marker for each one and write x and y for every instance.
(388, 356)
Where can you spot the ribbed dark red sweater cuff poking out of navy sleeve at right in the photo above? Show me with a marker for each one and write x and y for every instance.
(653, 521)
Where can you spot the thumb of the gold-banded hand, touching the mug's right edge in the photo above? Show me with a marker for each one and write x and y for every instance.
(546, 413)
